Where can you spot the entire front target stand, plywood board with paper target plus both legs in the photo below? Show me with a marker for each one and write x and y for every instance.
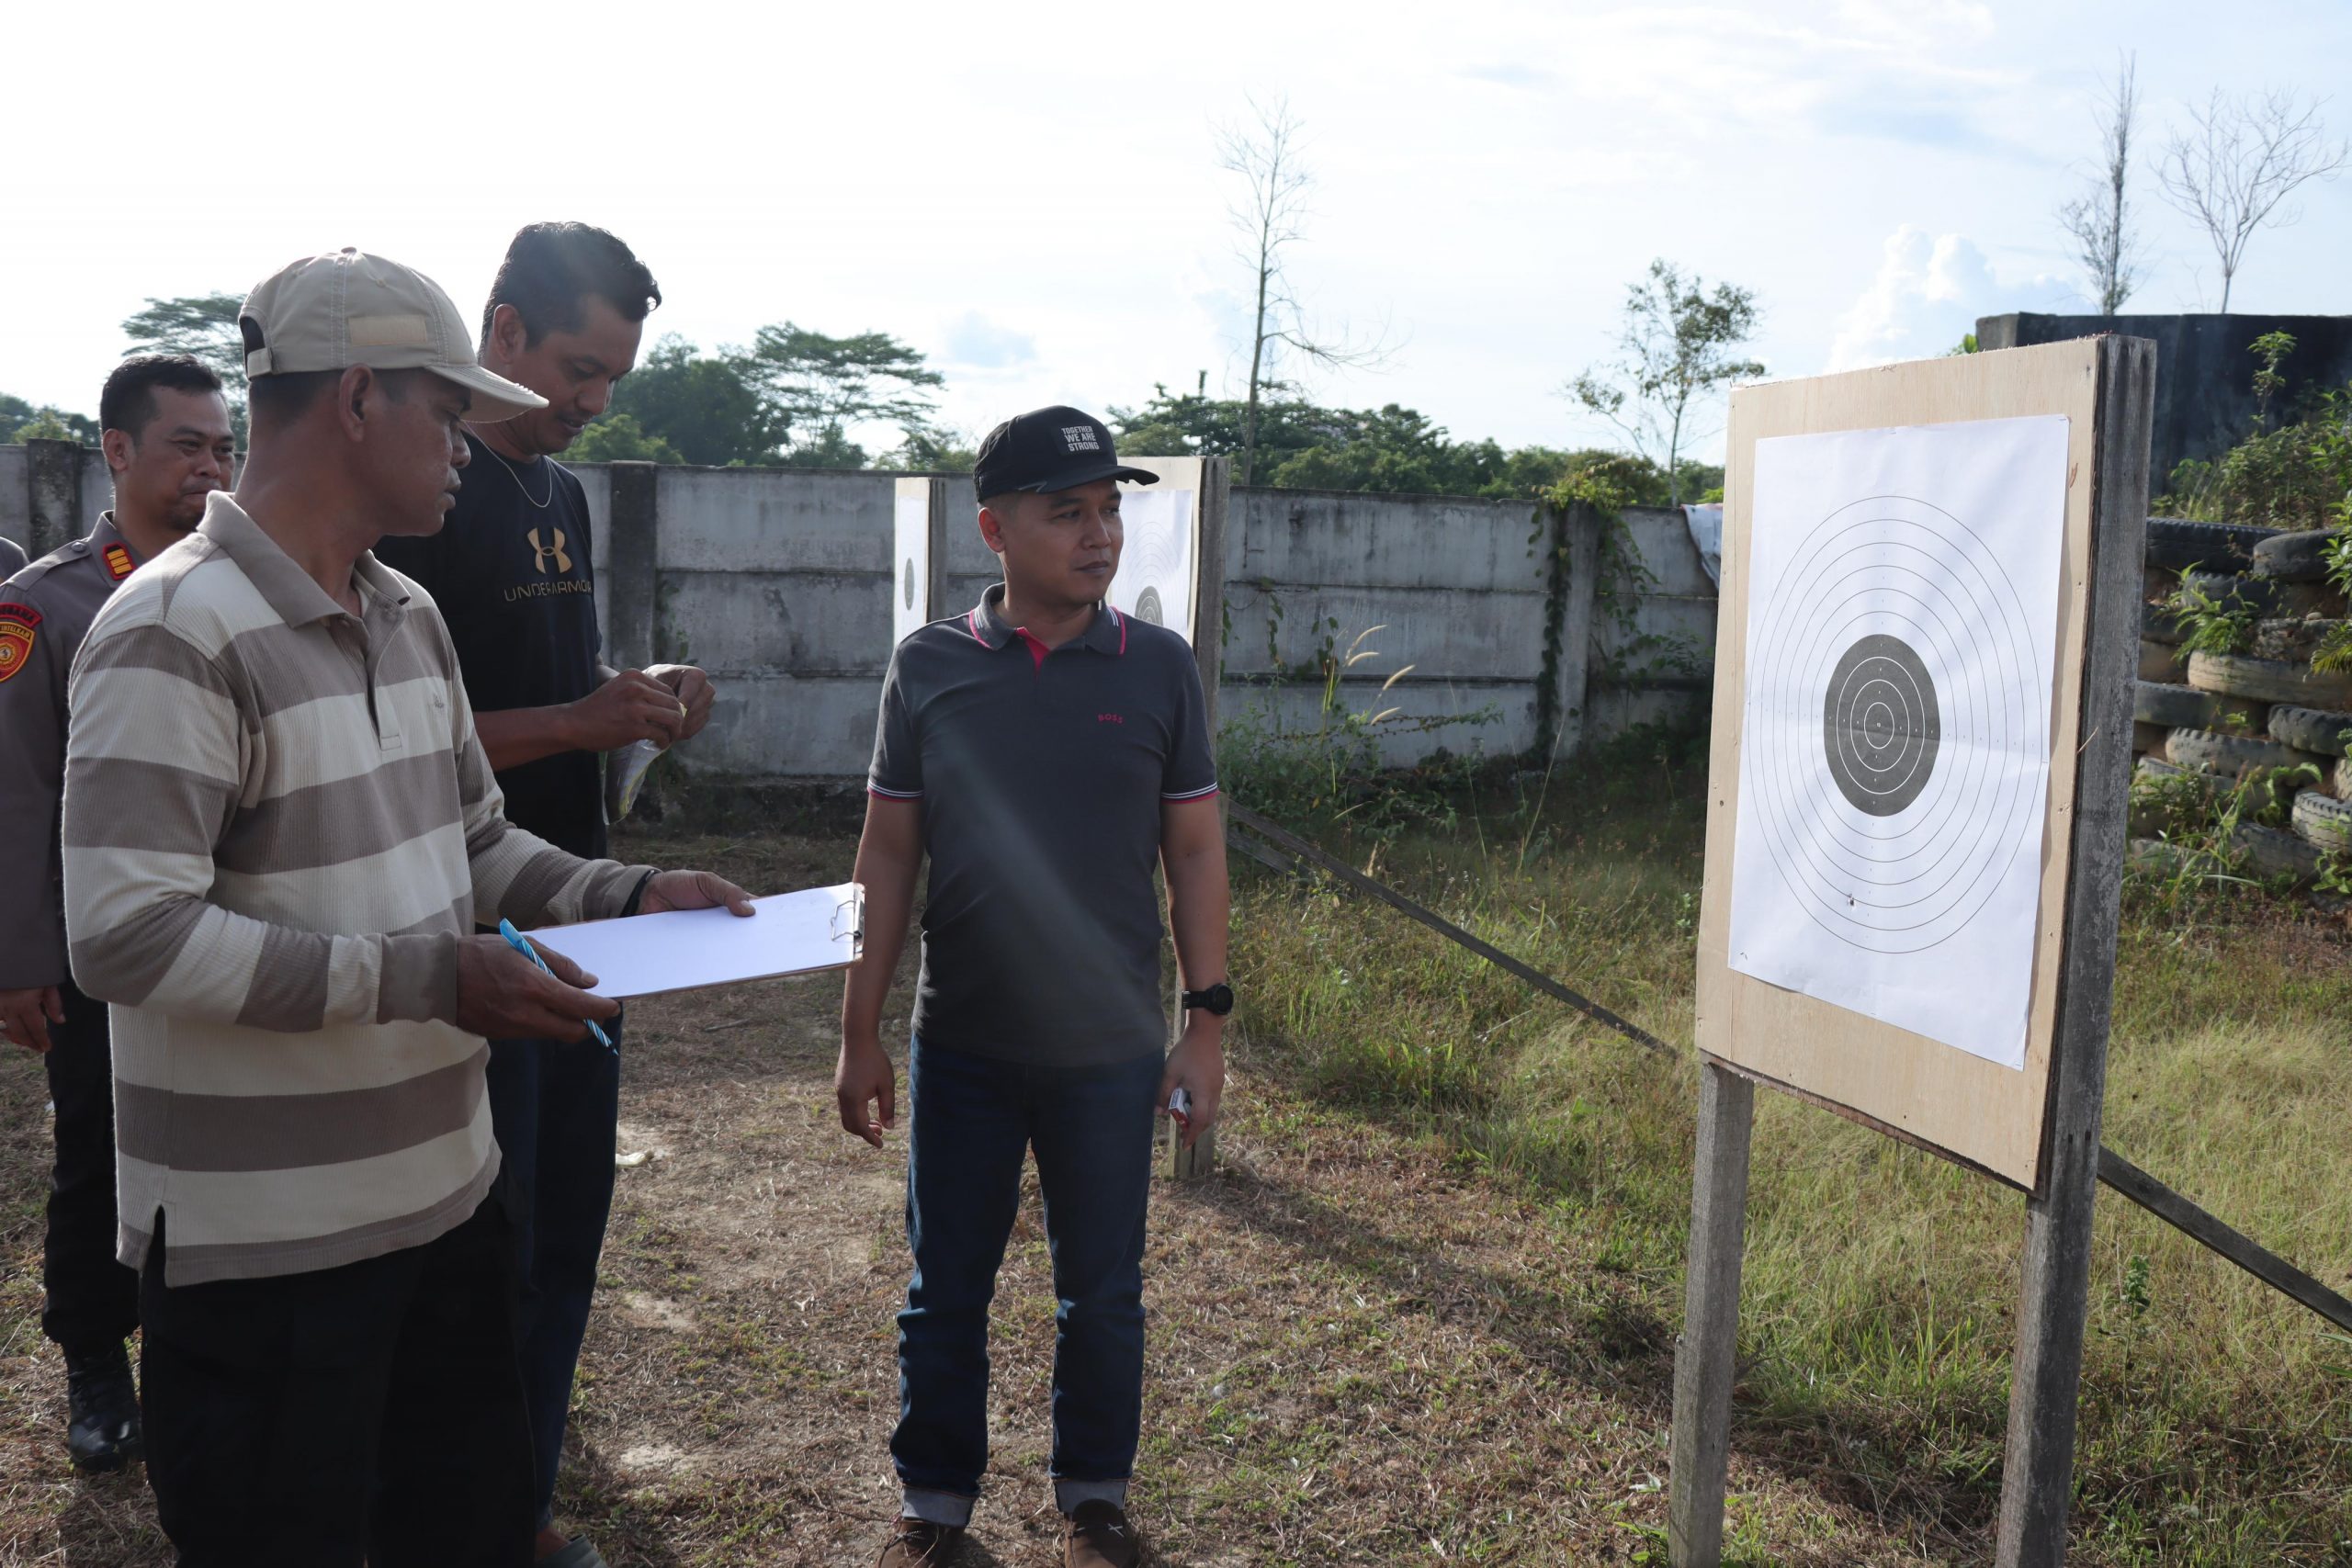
(1916, 831)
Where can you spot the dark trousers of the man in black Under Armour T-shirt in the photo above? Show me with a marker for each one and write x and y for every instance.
(556, 1108)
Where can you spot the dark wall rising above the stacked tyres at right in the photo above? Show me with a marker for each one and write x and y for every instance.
(2205, 370)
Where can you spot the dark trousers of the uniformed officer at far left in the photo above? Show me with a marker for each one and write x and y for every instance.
(93, 1301)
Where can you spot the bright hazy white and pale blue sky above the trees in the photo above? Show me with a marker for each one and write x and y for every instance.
(1031, 194)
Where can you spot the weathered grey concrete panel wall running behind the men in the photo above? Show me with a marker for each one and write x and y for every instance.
(777, 582)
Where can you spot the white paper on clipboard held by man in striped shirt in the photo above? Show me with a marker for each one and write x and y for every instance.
(648, 956)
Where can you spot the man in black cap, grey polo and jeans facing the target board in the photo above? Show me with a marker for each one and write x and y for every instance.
(1048, 753)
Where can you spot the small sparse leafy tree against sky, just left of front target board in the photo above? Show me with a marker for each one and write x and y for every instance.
(1673, 354)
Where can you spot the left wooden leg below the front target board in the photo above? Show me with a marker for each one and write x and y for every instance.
(1706, 1355)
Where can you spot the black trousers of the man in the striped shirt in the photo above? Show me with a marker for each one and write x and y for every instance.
(323, 1419)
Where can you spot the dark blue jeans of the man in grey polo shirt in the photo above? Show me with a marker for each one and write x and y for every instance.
(973, 1125)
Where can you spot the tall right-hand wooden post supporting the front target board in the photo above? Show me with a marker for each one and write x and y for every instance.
(2045, 1381)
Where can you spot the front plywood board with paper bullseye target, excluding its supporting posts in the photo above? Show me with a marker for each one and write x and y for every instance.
(1923, 547)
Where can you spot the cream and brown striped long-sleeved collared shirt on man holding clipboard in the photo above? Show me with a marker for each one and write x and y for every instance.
(279, 826)
